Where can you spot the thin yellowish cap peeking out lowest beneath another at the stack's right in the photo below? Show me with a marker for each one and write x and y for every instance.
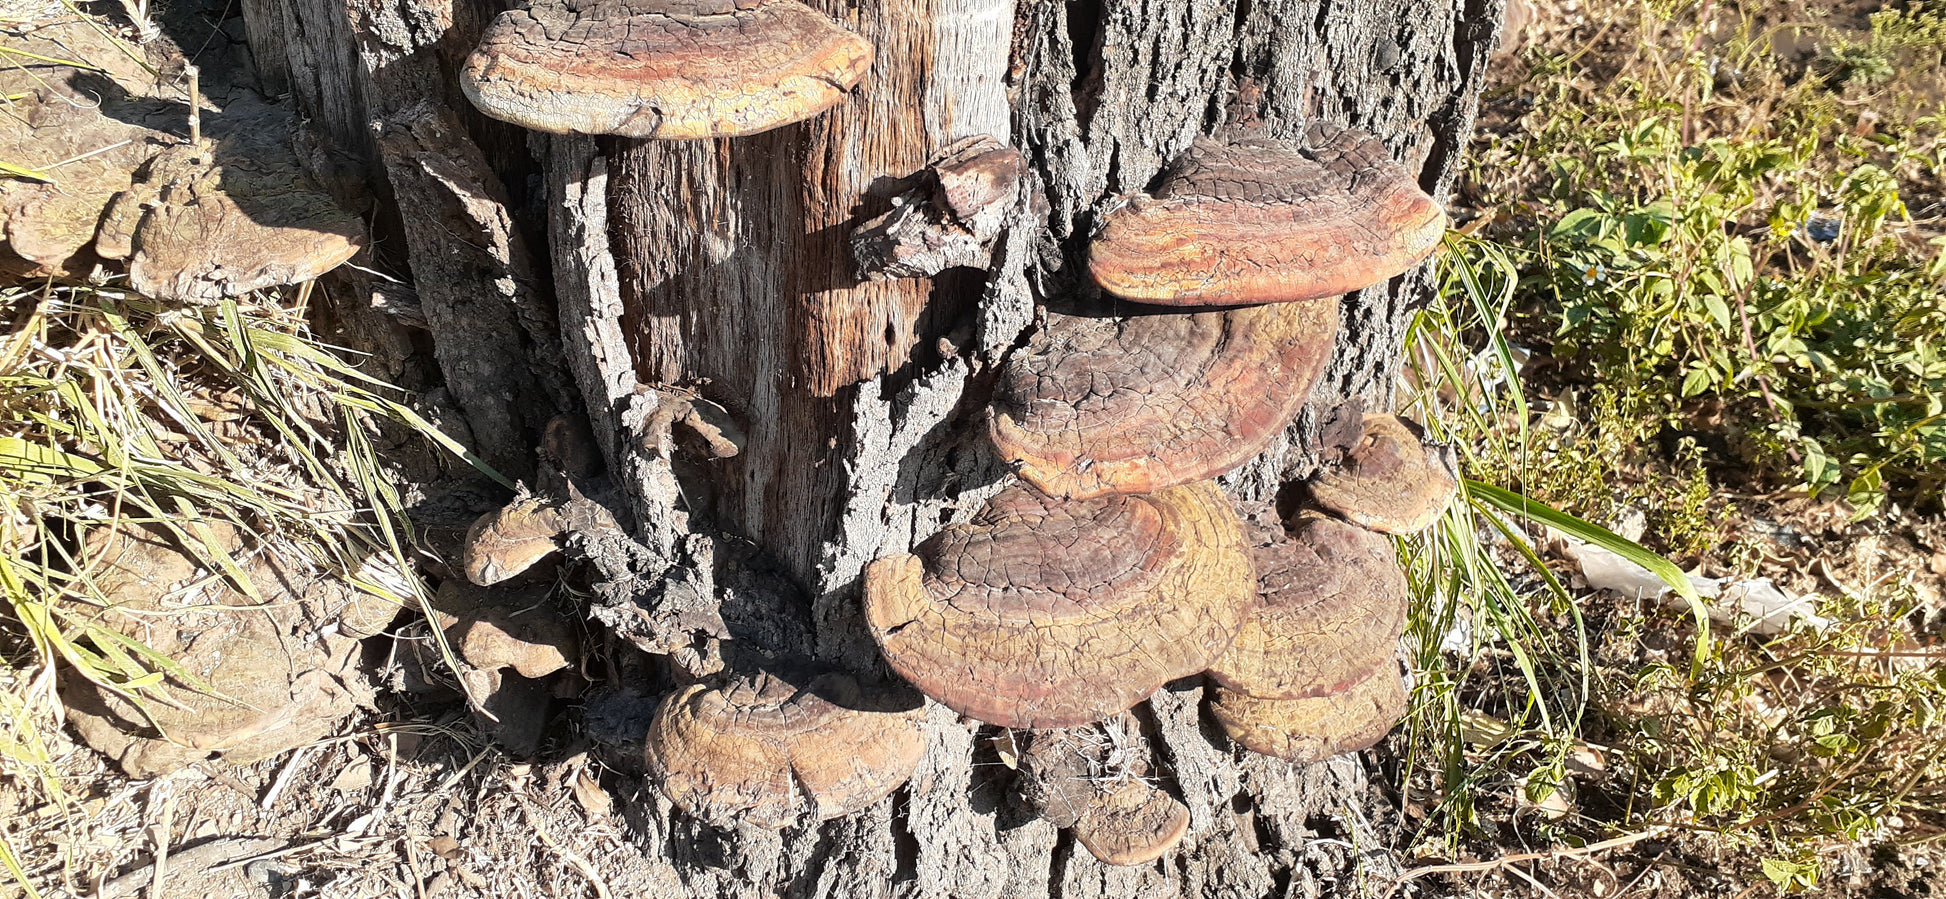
(1315, 729)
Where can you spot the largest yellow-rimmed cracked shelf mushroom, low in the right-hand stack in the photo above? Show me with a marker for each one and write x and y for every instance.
(1046, 614)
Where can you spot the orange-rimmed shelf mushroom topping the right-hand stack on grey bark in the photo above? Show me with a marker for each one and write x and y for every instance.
(1262, 221)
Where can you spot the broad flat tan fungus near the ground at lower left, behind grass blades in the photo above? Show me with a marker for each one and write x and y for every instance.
(252, 674)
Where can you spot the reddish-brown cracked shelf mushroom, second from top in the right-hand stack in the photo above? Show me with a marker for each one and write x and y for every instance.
(1153, 402)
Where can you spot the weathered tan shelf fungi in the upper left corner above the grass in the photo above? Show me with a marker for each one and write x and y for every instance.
(194, 221)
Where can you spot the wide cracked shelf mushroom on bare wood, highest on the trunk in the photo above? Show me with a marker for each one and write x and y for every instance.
(663, 69)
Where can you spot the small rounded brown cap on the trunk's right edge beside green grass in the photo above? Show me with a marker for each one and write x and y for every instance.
(1390, 480)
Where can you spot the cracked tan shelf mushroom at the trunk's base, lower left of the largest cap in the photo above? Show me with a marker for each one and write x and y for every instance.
(781, 746)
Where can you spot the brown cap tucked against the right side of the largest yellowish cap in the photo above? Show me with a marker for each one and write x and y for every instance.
(1334, 608)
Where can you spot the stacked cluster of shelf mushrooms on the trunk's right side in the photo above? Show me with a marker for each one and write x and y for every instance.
(1120, 565)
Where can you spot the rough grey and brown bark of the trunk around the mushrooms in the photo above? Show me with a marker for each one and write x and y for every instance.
(721, 268)
